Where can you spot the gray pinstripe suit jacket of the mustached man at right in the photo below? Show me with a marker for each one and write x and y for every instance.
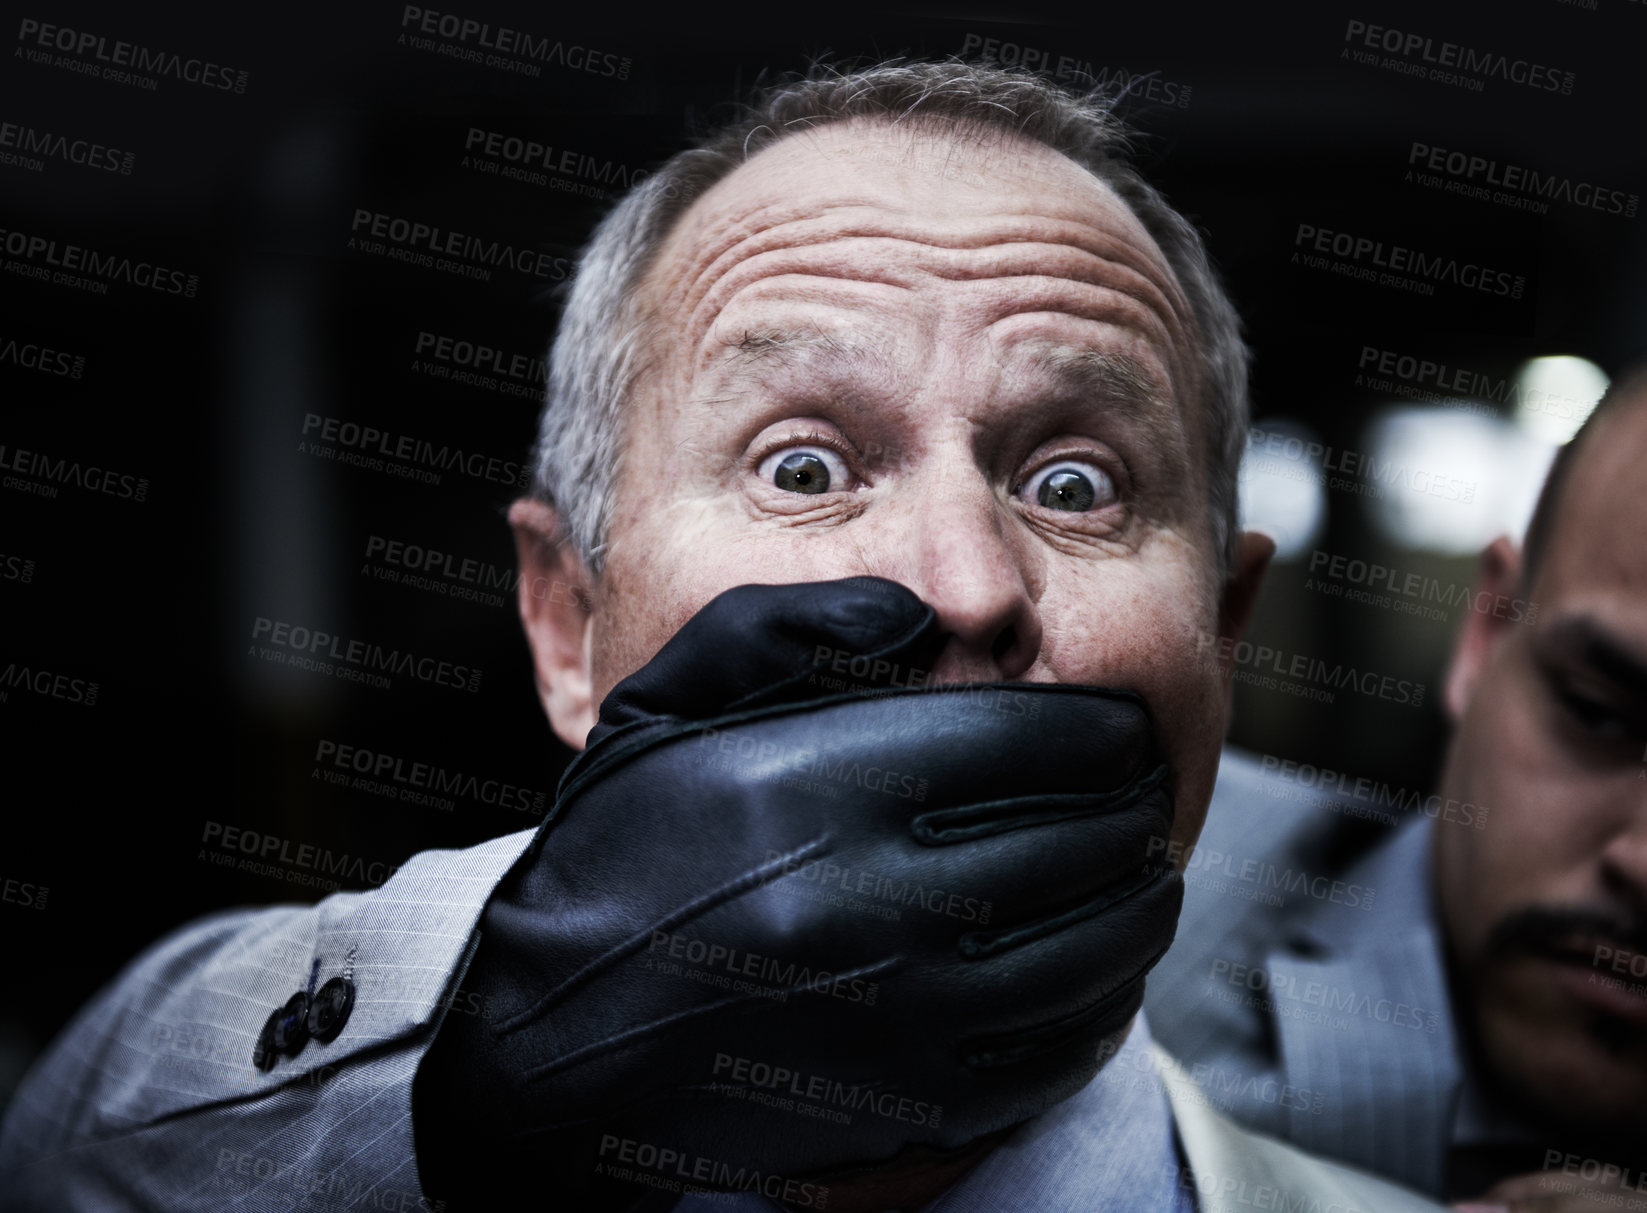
(1325, 1019)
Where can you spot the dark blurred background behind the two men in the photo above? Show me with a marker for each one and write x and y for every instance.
(1256, 123)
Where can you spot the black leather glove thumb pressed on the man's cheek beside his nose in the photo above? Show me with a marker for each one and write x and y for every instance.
(763, 644)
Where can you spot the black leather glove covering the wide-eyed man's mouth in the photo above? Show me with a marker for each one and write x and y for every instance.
(795, 912)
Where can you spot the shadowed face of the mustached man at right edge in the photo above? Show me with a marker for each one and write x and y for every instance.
(1552, 723)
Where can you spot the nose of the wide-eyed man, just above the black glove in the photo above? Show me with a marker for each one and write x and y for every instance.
(961, 550)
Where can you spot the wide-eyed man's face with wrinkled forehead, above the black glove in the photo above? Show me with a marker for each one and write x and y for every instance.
(963, 368)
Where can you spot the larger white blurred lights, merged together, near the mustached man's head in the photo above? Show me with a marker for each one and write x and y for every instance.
(1450, 482)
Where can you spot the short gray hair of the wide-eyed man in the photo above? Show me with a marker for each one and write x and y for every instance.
(605, 335)
